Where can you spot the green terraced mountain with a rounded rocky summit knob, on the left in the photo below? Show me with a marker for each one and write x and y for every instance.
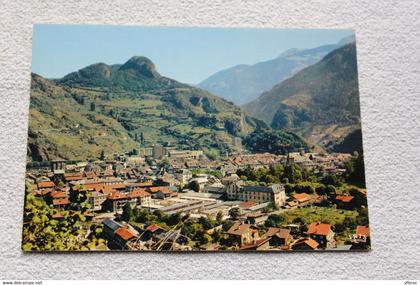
(118, 108)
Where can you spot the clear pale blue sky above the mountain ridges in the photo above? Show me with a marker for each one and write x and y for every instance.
(188, 55)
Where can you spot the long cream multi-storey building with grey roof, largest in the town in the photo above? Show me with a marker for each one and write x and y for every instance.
(259, 194)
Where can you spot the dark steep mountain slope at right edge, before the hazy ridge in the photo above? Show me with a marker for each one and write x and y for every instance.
(320, 103)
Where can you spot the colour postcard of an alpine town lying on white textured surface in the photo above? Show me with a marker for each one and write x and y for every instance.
(194, 139)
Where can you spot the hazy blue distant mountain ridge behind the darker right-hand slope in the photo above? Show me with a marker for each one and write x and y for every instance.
(243, 83)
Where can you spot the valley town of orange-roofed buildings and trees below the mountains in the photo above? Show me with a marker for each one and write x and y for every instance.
(159, 198)
